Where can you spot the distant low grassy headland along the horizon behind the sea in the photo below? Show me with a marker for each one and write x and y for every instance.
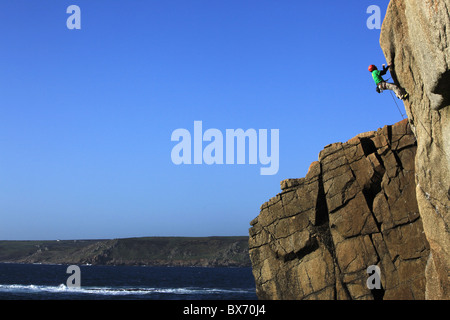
(152, 251)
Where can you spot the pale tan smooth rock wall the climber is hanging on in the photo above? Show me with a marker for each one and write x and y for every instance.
(415, 37)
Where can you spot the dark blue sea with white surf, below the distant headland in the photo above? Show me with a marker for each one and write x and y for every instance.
(49, 282)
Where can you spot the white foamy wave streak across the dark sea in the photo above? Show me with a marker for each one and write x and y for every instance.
(17, 288)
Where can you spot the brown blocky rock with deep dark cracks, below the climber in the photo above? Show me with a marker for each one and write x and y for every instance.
(355, 208)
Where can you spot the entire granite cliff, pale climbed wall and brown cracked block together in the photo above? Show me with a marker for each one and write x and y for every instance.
(382, 198)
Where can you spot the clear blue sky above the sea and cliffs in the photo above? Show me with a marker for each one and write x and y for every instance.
(86, 116)
